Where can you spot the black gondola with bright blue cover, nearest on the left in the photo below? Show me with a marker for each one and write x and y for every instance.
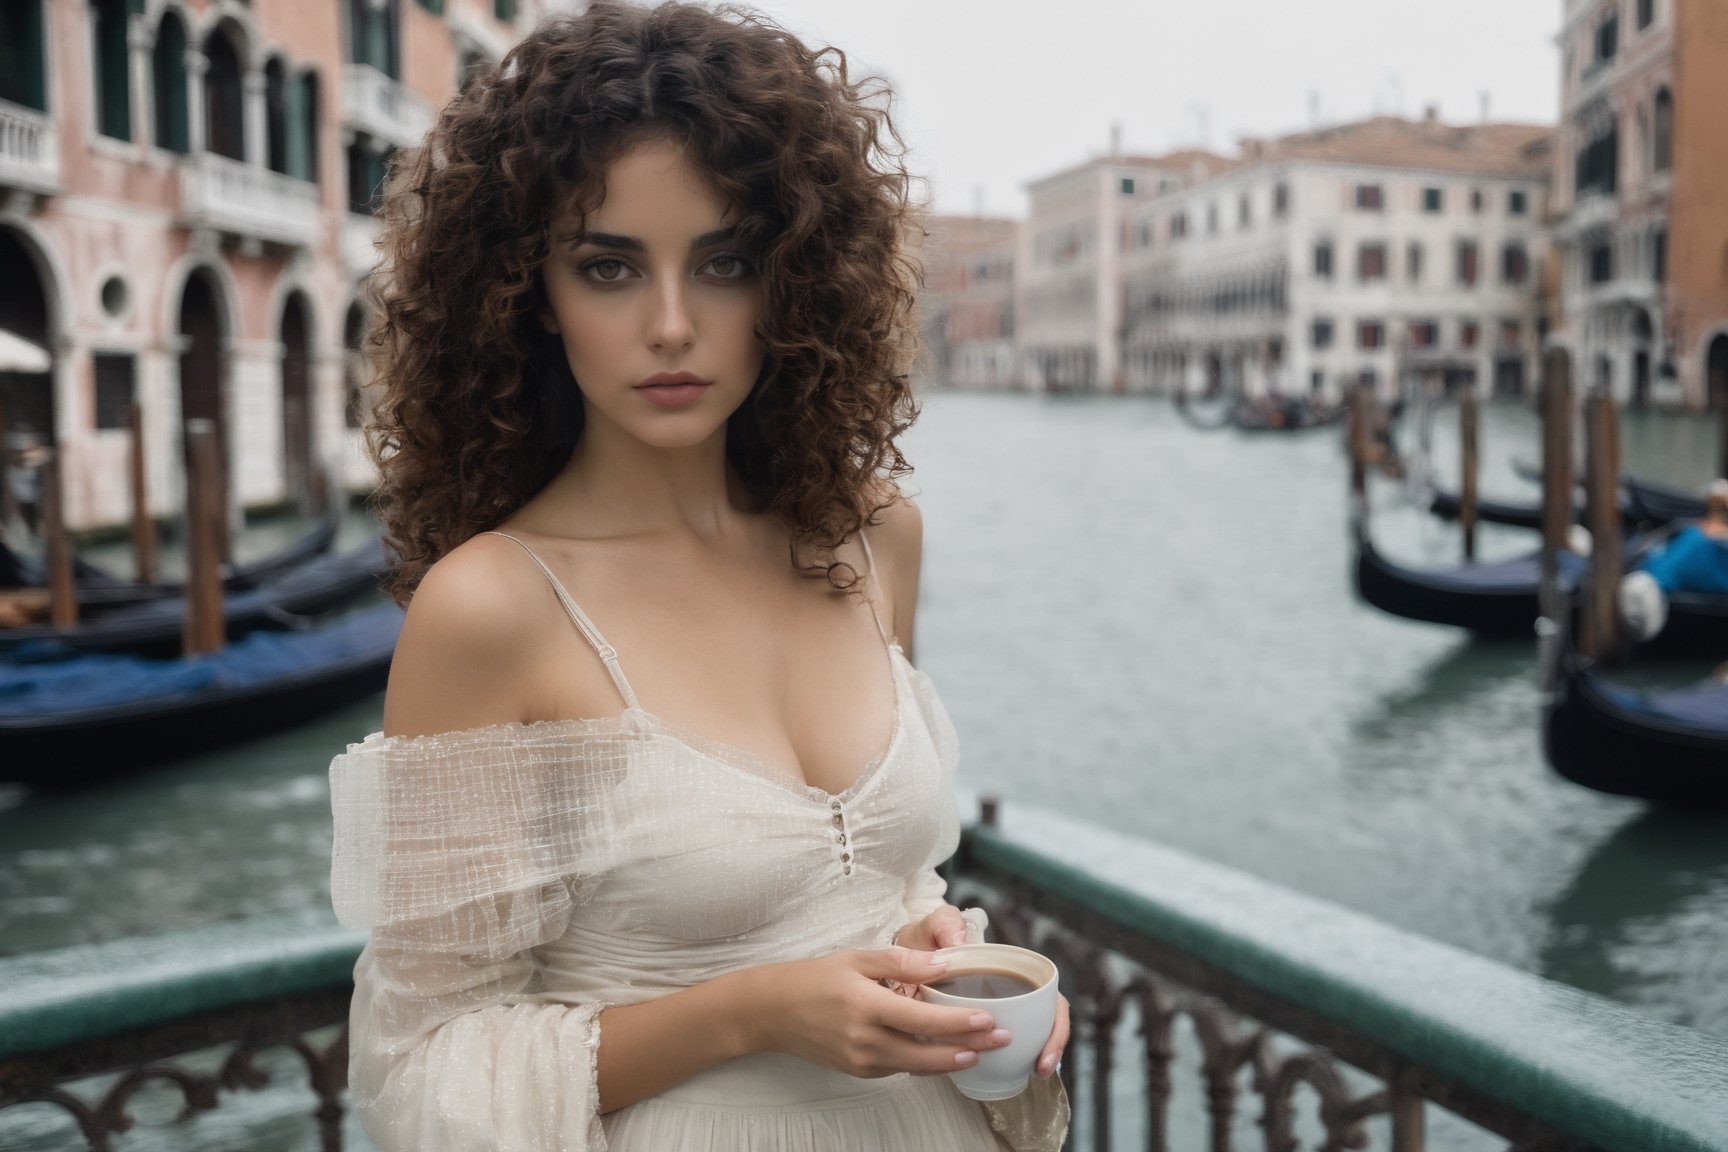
(79, 721)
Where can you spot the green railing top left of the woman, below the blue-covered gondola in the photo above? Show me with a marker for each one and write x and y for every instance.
(65, 996)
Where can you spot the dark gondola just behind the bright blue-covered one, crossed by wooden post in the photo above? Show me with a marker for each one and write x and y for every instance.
(155, 628)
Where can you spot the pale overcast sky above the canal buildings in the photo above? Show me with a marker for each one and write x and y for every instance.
(993, 94)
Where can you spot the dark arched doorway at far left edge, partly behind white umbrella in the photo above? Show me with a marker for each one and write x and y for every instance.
(27, 396)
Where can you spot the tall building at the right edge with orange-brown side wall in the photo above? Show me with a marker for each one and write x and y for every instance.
(1639, 198)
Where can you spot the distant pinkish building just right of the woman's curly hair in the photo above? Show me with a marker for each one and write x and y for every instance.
(967, 310)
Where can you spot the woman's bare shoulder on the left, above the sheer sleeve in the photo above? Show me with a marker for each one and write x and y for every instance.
(459, 662)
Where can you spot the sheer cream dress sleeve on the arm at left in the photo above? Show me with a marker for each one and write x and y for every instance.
(461, 854)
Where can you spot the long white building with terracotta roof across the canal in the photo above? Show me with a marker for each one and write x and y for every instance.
(1366, 251)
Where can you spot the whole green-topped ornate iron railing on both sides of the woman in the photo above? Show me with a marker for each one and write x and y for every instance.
(1212, 1011)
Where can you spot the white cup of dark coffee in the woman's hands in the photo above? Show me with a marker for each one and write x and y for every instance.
(1001, 1073)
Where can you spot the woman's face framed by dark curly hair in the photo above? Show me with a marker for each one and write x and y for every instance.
(656, 305)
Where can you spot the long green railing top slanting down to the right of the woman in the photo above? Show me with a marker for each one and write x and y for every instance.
(1582, 1065)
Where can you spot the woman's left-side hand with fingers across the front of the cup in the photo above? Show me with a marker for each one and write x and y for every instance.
(839, 1013)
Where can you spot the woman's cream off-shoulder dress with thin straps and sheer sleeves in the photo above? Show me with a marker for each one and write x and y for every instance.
(518, 880)
